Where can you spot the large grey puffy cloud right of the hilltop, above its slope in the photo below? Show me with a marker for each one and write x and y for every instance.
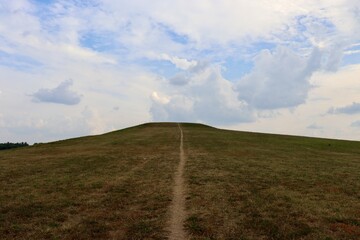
(279, 79)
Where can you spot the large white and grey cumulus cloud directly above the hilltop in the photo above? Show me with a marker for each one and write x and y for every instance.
(207, 97)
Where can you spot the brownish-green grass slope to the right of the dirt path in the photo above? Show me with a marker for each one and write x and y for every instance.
(261, 186)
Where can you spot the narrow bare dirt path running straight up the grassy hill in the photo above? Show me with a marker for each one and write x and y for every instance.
(177, 208)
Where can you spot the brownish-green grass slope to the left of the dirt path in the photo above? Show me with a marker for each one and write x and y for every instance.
(113, 186)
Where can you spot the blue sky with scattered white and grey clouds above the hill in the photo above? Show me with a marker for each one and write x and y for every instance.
(76, 68)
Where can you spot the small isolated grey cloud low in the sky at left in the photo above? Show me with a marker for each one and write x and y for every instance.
(62, 94)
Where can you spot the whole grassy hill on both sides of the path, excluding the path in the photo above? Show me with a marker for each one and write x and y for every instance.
(239, 185)
